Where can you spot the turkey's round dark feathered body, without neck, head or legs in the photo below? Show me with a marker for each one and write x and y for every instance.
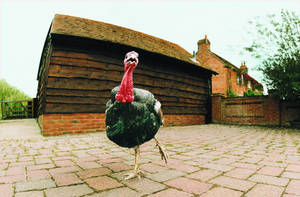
(132, 124)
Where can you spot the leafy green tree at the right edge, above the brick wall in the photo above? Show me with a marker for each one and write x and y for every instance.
(276, 45)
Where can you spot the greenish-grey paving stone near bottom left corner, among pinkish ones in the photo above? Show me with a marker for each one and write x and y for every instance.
(34, 185)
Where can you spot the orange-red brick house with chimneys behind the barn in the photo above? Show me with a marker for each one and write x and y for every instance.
(230, 77)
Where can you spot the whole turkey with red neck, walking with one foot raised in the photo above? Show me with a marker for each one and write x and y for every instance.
(133, 115)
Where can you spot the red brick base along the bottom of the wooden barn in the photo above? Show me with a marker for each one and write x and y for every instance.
(59, 124)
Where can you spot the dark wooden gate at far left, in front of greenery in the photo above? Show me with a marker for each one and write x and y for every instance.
(17, 109)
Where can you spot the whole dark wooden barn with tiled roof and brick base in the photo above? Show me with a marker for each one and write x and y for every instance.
(82, 60)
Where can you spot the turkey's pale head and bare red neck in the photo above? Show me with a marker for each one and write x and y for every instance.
(125, 92)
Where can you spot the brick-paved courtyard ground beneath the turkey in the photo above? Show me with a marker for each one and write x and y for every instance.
(207, 160)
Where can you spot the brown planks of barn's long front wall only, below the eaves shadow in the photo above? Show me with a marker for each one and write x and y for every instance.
(81, 82)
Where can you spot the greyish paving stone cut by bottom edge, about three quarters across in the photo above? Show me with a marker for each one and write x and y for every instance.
(222, 192)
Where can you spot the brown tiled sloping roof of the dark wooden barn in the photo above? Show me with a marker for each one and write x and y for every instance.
(81, 27)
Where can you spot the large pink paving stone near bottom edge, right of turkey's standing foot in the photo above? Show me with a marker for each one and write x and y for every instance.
(189, 185)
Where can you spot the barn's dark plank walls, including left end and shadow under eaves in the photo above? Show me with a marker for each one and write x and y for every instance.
(79, 74)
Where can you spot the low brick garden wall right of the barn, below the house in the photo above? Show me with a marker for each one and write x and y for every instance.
(262, 110)
